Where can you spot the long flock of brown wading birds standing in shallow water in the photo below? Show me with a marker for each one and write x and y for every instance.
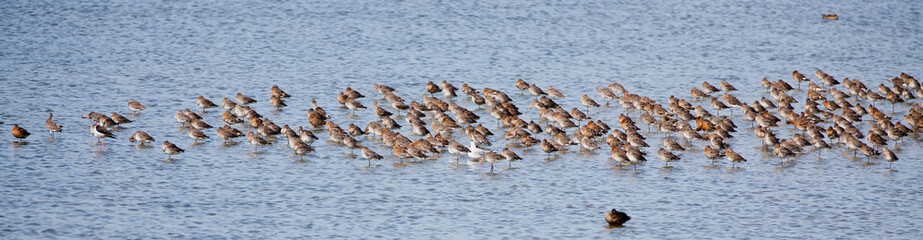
(828, 113)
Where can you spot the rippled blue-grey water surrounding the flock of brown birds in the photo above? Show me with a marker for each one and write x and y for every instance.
(73, 57)
